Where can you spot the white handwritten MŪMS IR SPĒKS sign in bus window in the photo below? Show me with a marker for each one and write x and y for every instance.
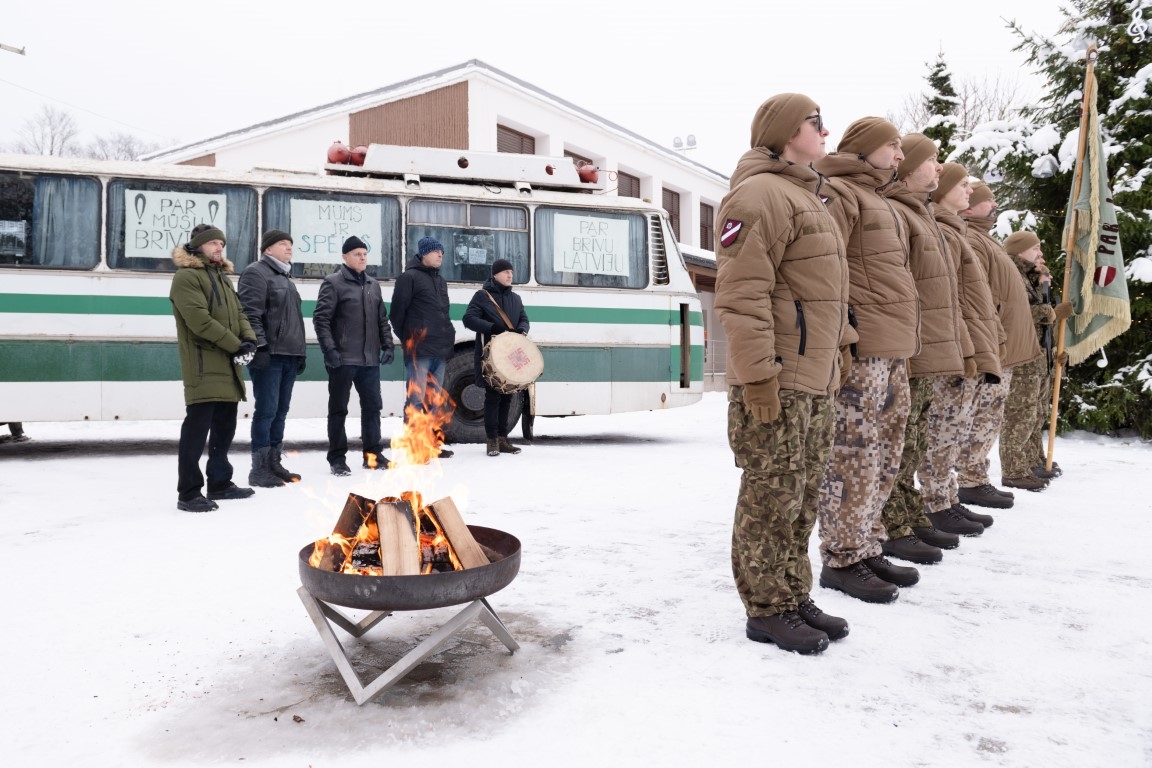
(320, 230)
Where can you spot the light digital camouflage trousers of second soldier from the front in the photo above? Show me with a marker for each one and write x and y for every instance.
(871, 414)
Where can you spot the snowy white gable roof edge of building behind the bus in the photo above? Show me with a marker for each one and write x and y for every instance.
(404, 89)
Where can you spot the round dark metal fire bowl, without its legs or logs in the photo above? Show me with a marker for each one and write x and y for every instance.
(418, 592)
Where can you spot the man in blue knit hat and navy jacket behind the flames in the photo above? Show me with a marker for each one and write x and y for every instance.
(420, 315)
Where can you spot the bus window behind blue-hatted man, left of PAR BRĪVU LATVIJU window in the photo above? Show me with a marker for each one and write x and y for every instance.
(474, 237)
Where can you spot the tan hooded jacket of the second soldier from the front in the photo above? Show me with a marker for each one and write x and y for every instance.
(883, 293)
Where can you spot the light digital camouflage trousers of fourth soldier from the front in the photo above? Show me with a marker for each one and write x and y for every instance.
(950, 422)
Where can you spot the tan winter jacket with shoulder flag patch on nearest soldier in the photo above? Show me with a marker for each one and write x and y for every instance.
(782, 278)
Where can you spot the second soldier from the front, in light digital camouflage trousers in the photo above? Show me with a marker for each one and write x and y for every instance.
(873, 406)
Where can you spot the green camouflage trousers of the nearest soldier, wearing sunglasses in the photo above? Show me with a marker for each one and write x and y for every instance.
(783, 466)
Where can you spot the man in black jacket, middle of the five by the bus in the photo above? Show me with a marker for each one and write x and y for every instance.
(352, 326)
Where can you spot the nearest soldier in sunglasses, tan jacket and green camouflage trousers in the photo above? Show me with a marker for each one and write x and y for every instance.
(783, 298)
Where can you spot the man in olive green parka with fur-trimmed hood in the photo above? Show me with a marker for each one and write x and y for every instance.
(215, 340)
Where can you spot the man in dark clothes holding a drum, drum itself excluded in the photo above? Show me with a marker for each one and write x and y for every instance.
(495, 310)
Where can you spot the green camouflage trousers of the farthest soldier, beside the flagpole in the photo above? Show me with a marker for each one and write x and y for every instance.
(1026, 413)
